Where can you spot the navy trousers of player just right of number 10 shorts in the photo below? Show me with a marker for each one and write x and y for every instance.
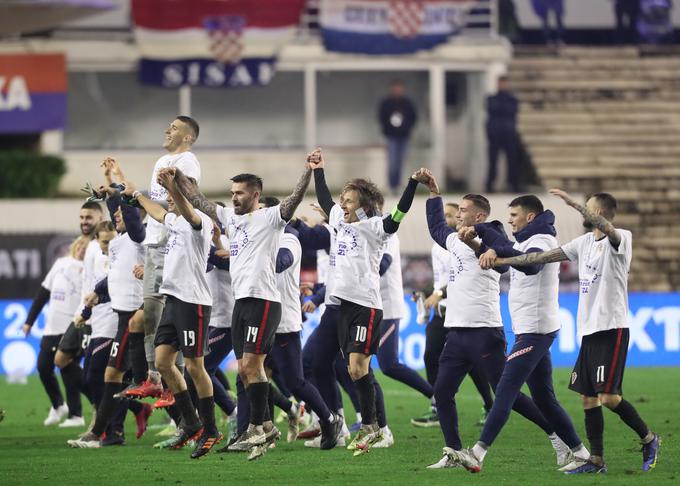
(388, 359)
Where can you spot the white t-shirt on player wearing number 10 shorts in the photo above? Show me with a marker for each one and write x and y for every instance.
(360, 247)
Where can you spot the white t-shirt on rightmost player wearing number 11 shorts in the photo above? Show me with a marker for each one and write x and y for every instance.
(603, 281)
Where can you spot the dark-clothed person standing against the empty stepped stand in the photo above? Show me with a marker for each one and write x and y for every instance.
(501, 131)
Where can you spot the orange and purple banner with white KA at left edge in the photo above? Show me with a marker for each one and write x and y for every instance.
(32, 92)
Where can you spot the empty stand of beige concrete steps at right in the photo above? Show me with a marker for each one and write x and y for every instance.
(608, 119)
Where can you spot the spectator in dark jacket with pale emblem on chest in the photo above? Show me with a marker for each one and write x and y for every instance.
(397, 117)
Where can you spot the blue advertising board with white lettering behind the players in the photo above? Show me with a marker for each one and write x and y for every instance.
(654, 321)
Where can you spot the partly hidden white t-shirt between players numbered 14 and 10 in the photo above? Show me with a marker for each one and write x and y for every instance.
(289, 283)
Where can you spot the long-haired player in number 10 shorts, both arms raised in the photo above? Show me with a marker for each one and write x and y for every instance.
(361, 234)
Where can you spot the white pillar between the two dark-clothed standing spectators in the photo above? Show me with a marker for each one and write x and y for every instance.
(438, 123)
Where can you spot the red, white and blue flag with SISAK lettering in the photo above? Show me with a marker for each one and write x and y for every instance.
(215, 43)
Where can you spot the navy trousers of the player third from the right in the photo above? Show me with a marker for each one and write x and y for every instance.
(464, 349)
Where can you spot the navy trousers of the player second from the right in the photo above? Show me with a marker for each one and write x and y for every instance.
(529, 362)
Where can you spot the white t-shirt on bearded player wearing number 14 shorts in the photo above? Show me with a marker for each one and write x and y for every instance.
(253, 244)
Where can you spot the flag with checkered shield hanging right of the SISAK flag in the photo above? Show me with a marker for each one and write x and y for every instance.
(390, 26)
